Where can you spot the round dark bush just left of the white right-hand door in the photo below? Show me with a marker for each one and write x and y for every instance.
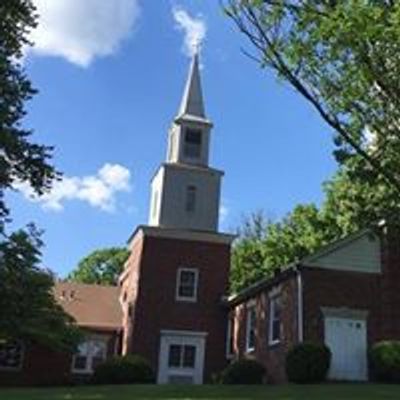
(308, 363)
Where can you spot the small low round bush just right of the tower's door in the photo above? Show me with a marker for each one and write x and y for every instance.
(243, 372)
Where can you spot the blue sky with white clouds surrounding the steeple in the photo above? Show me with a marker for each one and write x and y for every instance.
(109, 89)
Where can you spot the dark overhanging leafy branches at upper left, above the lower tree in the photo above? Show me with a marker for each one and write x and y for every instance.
(20, 159)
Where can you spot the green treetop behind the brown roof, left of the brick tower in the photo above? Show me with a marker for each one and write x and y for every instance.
(101, 267)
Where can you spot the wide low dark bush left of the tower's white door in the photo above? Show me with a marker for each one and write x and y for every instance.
(124, 370)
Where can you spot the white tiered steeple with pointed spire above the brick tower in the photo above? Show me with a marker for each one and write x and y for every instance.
(185, 190)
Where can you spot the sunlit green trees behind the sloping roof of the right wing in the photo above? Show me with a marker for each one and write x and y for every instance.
(264, 246)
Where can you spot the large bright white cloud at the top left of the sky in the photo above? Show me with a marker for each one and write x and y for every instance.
(80, 30)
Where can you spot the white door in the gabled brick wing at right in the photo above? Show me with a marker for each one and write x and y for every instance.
(347, 340)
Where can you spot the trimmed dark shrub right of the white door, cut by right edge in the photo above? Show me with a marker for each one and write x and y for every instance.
(385, 361)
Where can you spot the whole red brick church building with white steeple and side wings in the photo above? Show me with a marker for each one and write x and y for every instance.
(171, 304)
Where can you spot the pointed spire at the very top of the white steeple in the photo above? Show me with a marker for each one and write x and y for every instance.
(192, 104)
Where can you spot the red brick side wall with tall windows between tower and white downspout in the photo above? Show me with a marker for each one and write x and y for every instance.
(271, 356)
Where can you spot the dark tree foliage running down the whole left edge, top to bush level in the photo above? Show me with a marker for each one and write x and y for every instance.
(28, 309)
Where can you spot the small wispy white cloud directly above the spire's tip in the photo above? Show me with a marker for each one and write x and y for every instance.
(194, 29)
